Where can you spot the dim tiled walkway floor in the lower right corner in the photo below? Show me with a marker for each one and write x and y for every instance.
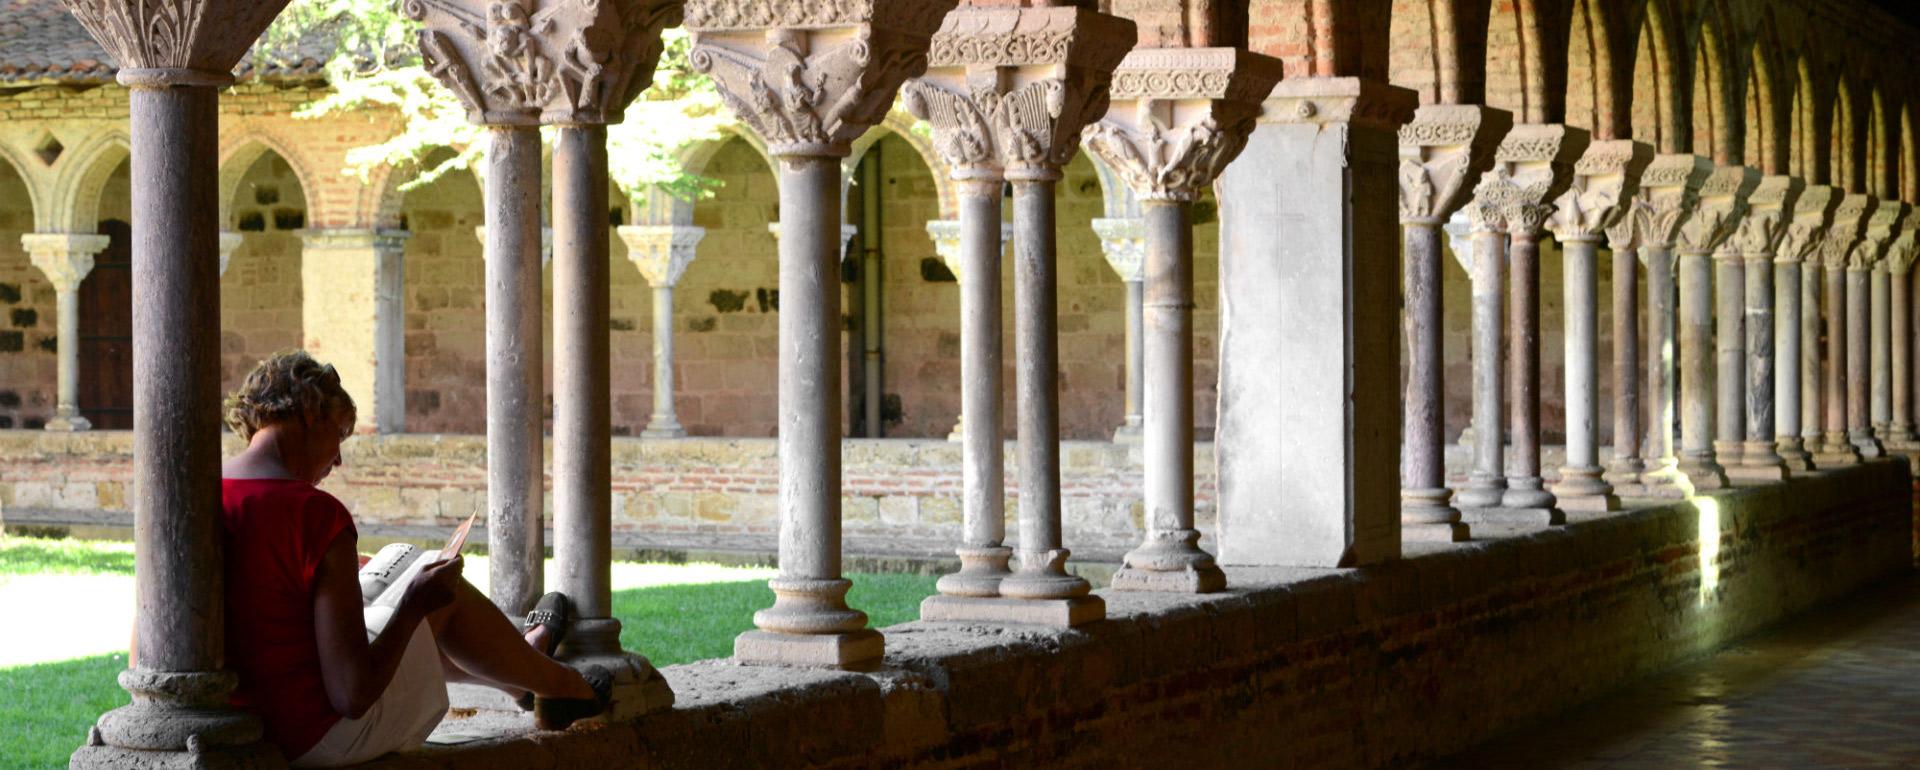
(1831, 690)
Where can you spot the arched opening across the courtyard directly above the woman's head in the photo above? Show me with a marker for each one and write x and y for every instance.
(262, 287)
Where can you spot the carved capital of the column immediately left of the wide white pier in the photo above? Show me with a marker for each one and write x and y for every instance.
(1172, 145)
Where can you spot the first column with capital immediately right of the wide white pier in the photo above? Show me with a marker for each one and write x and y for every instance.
(1447, 147)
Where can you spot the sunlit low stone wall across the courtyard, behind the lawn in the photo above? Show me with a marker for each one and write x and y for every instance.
(901, 496)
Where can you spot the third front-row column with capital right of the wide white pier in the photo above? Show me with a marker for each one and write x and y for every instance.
(1604, 178)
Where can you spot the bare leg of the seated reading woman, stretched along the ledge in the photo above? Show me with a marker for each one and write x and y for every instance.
(479, 638)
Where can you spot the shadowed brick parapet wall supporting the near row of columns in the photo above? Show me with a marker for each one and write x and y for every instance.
(1291, 669)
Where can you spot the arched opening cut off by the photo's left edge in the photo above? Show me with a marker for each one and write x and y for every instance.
(28, 335)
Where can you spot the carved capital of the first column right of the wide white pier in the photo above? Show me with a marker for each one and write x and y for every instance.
(1441, 151)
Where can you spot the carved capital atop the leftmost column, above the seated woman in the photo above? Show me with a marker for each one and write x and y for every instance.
(201, 36)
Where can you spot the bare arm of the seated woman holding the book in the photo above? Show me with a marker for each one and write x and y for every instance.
(352, 669)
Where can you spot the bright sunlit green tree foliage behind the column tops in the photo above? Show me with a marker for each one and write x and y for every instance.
(373, 64)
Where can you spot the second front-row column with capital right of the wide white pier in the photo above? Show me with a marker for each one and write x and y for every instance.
(1531, 170)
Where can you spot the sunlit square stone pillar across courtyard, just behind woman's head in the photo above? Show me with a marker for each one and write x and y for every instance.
(354, 318)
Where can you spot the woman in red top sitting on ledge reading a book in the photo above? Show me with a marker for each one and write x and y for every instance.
(337, 686)
